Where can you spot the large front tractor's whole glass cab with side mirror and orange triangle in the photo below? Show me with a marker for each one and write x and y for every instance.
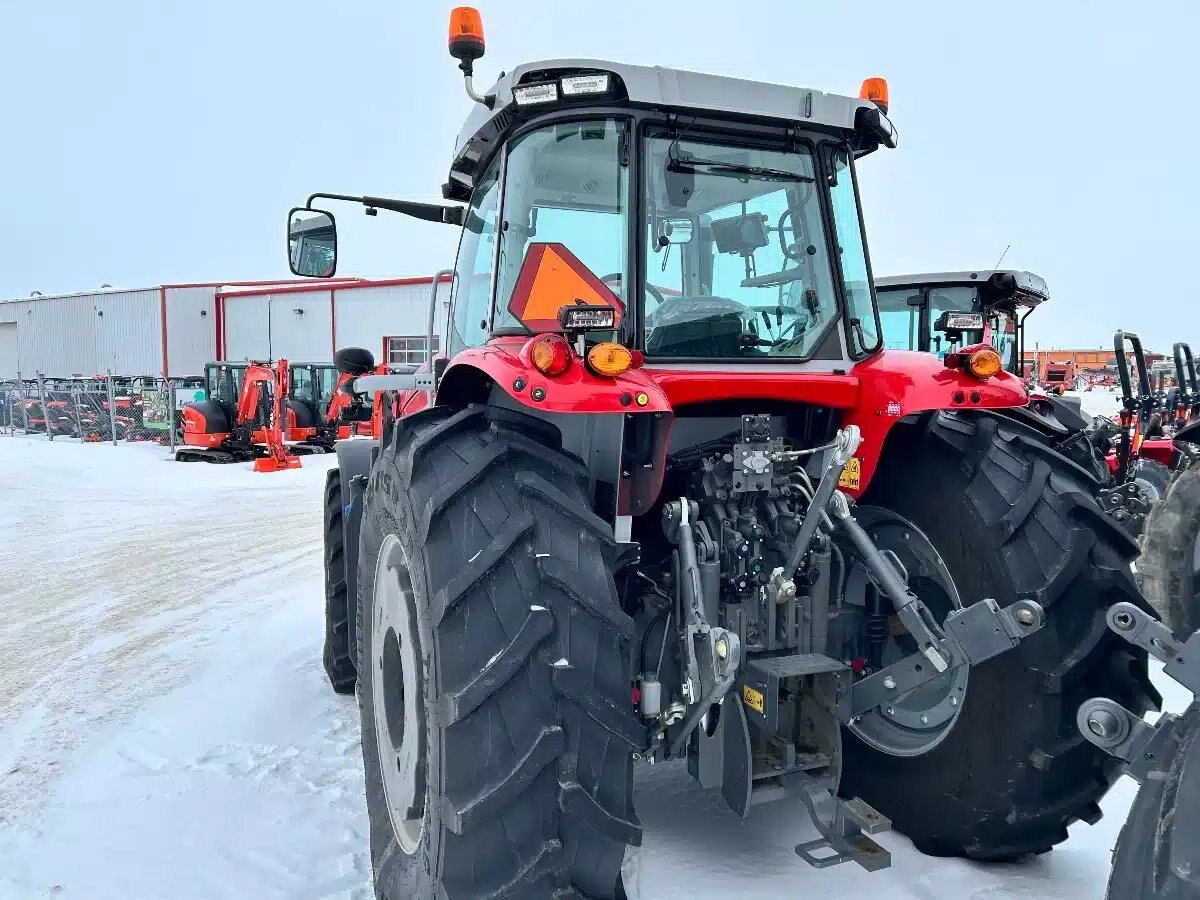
(680, 217)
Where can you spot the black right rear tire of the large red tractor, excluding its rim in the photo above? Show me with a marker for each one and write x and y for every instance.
(1011, 519)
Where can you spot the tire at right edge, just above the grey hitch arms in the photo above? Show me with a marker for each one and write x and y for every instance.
(1169, 569)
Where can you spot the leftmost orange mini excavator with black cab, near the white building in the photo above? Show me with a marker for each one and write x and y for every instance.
(243, 418)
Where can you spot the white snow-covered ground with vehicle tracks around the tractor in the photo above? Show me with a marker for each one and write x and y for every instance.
(167, 731)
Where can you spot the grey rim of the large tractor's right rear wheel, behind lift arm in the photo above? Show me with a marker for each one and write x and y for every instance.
(913, 723)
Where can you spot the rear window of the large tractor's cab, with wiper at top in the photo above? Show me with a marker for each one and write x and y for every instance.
(736, 260)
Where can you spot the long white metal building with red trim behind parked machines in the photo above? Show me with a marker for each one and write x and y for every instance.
(176, 329)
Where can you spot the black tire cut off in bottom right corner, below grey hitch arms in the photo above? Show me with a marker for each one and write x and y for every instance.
(1162, 827)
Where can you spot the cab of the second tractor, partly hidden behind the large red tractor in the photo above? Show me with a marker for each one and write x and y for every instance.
(943, 313)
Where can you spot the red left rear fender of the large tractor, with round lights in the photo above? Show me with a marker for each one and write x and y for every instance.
(506, 363)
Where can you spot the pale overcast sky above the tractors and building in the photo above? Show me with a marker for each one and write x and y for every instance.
(165, 141)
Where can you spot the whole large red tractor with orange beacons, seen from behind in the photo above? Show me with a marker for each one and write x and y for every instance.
(667, 497)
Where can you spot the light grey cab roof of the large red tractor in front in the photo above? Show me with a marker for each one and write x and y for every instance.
(671, 91)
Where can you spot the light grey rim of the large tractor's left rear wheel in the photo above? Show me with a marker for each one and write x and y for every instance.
(397, 695)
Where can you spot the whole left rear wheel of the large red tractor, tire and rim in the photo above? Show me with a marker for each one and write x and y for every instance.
(497, 722)
